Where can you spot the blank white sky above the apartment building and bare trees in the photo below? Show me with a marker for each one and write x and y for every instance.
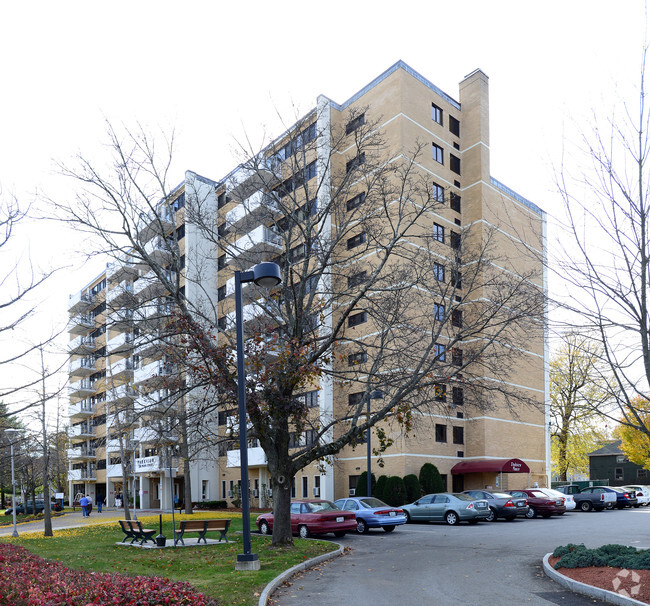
(216, 71)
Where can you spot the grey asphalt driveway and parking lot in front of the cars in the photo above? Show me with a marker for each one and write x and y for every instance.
(434, 564)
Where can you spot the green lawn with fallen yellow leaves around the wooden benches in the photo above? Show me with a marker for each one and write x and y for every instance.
(211, 569)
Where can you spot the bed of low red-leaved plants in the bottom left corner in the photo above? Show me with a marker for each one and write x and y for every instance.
(27, 580)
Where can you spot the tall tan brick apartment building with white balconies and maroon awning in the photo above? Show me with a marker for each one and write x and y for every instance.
(493, 443)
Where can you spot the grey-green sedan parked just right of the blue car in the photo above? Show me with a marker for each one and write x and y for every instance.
(448, 507)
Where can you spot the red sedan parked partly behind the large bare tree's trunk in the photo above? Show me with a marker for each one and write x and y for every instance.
(313, 516)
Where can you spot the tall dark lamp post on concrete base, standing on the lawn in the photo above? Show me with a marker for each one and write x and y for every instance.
(268, 276)
